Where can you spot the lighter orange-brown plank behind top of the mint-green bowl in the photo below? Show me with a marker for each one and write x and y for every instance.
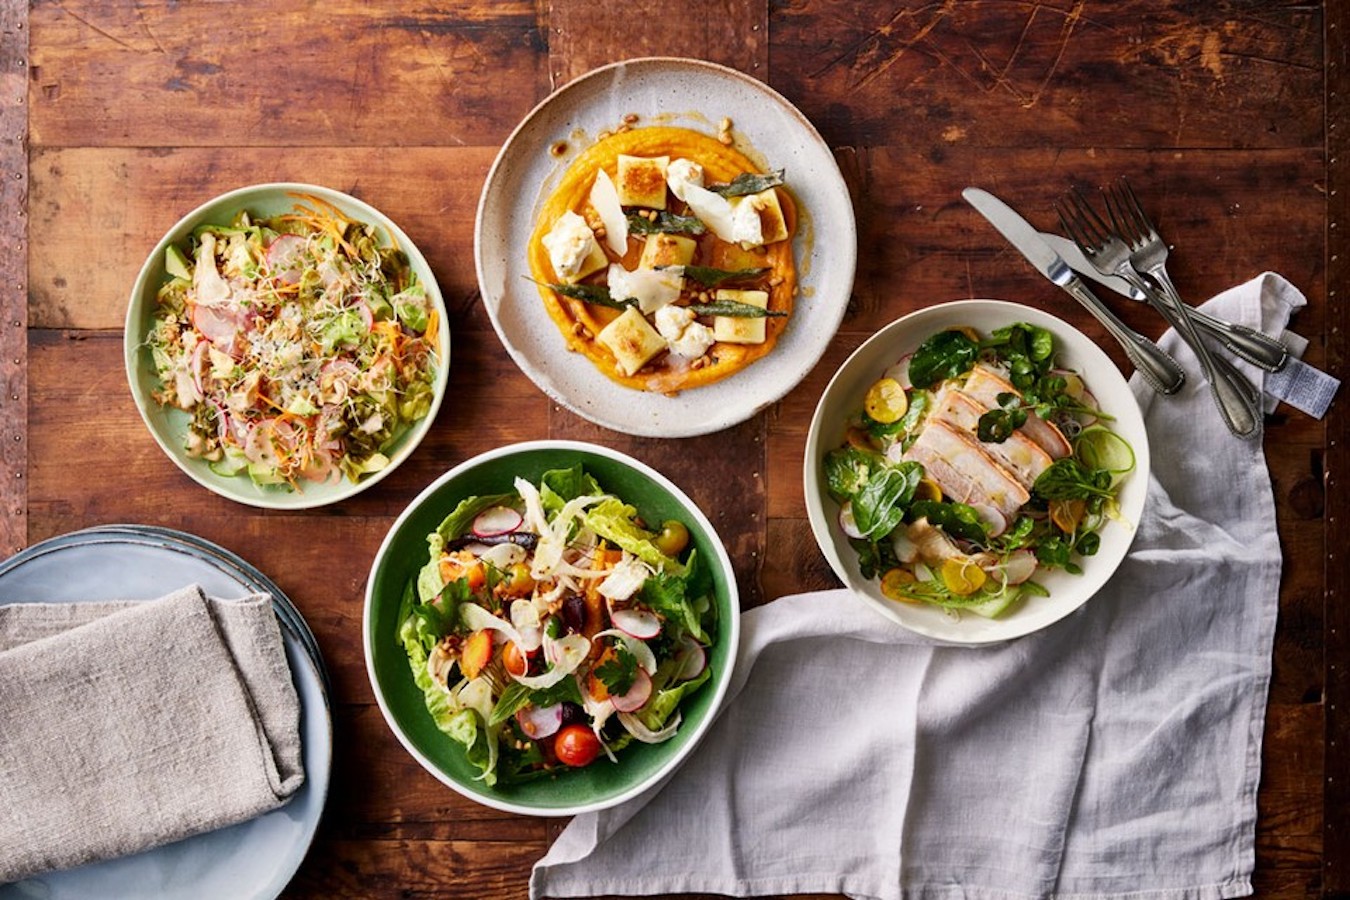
(97, 214)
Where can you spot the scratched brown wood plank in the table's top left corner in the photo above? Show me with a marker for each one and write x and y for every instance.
(345, 74)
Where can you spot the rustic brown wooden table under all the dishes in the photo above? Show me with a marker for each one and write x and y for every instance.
(117, 118)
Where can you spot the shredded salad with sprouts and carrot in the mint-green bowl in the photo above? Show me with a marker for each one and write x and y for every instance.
(300, 346)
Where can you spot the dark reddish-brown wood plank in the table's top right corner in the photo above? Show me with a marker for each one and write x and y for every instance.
(923, 78)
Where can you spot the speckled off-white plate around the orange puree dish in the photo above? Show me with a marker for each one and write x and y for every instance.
(693, 95)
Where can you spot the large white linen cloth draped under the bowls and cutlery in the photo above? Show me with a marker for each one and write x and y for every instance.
(1112, 755)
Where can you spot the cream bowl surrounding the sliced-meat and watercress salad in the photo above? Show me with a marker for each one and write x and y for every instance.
(843, 399)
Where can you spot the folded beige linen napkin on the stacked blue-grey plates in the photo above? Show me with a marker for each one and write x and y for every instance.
(129, 725)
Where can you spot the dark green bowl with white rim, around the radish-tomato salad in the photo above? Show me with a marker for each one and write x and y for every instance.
(404, 553)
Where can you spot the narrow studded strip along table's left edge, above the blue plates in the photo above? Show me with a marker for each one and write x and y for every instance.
(14, 275)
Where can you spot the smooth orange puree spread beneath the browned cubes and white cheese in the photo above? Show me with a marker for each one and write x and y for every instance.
(581, 322)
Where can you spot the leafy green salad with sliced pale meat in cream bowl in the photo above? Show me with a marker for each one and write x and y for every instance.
(974, 465)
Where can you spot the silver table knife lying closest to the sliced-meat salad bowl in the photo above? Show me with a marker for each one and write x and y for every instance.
(1162, 373)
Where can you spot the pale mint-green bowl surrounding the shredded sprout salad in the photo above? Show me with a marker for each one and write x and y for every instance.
(169, 427)
